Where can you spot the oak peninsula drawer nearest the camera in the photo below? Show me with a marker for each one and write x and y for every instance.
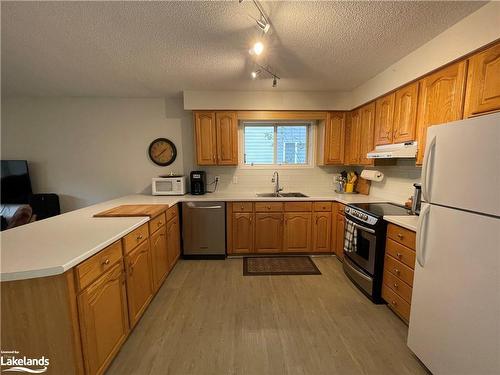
(92, 268)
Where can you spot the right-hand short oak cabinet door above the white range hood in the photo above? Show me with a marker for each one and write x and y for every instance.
(405, 114)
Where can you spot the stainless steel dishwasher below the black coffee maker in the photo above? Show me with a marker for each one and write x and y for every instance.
(204, 229)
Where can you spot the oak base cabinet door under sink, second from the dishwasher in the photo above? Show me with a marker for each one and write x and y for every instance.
(268, 232)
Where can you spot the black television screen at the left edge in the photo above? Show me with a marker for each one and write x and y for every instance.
(15, 183)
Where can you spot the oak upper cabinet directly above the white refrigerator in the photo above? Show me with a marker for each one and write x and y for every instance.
(483, 83)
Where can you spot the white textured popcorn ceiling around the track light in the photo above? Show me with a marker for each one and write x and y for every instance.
(161, 48)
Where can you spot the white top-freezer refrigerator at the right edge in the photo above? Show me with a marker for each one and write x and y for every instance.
(455, 313)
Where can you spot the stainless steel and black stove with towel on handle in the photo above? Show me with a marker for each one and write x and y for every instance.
(364, 260)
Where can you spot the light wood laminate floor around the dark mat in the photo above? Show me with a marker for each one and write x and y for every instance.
(209, 319)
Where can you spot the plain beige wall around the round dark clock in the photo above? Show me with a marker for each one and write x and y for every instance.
(90, 150)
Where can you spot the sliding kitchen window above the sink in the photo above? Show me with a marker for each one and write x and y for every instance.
(277, 144)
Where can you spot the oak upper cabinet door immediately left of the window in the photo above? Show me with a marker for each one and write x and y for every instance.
(227, 138)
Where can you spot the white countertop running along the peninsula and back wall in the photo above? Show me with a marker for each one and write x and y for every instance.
(53, 246)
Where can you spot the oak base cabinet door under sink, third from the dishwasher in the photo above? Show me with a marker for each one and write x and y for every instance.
(297, 234)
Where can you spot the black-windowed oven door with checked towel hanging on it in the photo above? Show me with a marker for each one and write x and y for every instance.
(363, 254)
